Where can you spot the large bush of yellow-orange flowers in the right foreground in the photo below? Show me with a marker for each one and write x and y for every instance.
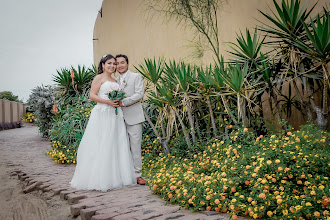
(271, 177)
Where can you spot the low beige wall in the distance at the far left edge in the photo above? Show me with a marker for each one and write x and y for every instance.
(11, 111)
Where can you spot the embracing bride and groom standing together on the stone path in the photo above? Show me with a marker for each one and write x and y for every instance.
(109, 154)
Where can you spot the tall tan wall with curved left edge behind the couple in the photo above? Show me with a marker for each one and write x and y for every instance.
(123, 28)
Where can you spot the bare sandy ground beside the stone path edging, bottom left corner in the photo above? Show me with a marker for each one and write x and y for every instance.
(16, 205)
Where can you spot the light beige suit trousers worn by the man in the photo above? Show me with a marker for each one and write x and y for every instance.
(135, 139)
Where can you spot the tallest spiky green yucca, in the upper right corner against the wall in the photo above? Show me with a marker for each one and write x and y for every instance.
(290, 29)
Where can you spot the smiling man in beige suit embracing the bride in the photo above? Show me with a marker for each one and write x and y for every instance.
(132, 108)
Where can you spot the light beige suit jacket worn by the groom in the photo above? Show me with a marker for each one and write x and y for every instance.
(134, 89)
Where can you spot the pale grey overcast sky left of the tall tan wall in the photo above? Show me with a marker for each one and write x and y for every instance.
(37, 37)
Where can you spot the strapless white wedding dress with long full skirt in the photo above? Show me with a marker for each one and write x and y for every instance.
(103, 157)
